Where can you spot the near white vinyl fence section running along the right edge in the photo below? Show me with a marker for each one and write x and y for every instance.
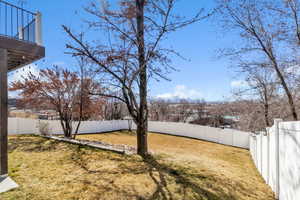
(276, 154)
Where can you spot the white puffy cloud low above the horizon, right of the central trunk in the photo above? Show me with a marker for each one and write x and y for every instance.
(181, 92)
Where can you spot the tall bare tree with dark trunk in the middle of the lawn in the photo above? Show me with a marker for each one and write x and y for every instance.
(132, 52)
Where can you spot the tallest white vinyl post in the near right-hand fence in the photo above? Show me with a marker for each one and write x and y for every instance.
(276, 126)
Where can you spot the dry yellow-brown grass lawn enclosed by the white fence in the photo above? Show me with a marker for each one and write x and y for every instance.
(181, 169)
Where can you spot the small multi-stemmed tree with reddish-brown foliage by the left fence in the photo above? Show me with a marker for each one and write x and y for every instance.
(58, 88)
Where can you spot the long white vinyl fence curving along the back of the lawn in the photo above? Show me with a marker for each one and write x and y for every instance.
(223, 136)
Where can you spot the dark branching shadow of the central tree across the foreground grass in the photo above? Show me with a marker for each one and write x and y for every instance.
(168, 180)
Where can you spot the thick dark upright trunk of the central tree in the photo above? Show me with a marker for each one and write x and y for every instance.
(142, 126)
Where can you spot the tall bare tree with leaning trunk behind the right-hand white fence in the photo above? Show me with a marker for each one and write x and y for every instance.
(262, 37)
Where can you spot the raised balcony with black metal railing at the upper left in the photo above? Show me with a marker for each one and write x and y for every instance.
(20, 35)
